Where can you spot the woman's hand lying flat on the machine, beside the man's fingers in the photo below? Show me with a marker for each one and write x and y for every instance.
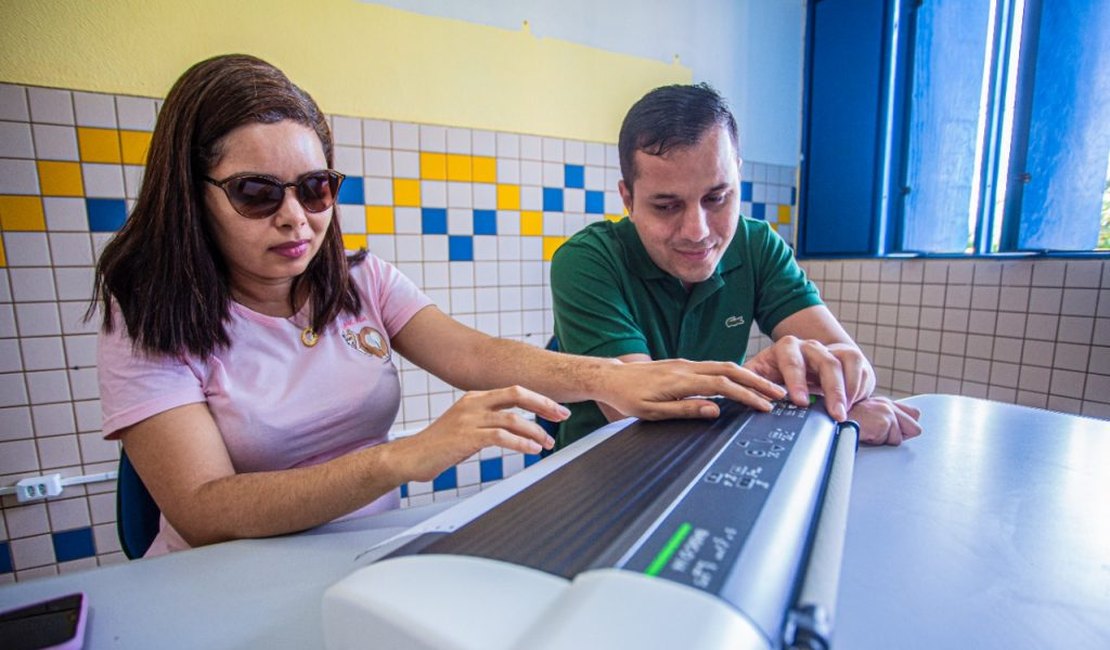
(679, 389)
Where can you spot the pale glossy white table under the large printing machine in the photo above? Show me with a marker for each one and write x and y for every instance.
(991, 531)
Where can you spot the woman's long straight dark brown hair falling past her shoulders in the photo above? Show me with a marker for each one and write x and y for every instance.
(163, 269)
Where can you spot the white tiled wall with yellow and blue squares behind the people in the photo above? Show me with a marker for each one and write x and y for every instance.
(472, 217)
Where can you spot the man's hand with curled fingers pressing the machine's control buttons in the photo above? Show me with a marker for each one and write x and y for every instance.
(839, 371)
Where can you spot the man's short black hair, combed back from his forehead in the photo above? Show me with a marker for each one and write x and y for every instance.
(670, 117)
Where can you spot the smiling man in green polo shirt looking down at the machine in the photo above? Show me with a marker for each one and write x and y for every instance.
(685, 277)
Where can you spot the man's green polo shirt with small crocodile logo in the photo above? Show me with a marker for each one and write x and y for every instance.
(611, 300)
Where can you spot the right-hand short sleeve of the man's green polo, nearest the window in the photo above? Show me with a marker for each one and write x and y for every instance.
(782, 286)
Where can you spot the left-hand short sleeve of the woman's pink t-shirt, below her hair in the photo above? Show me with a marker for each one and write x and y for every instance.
(135, 387)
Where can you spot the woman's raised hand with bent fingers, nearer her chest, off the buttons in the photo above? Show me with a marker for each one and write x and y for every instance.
(481, 419)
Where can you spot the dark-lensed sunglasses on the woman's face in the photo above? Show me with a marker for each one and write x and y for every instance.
(258, 197)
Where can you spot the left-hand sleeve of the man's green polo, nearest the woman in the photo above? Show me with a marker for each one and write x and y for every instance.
(592, 314)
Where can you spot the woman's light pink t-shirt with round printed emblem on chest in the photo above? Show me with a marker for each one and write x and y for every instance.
(278, 403)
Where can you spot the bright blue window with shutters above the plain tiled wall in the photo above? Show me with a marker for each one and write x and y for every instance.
(955, 127)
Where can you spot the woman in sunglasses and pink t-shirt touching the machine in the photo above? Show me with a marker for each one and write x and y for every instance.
(247, 363)
